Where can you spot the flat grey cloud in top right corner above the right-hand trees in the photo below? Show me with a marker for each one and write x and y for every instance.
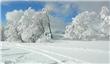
(93, 5)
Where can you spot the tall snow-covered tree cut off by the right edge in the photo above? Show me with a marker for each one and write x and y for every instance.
(105, 21)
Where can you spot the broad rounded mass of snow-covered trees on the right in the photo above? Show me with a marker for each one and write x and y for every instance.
(89, 26)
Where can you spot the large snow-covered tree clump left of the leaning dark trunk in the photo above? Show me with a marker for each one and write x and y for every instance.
(27, 26)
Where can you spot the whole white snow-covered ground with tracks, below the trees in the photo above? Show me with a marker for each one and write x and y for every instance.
(57, 52)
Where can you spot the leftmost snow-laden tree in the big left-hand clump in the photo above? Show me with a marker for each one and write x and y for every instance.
(11, 31)
